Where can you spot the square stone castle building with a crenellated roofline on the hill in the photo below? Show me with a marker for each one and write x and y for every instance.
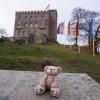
(35, 26)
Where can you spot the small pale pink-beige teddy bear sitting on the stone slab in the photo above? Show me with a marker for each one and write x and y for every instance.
(49, 81)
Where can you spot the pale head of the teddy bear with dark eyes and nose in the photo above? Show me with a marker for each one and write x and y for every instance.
(52, 70)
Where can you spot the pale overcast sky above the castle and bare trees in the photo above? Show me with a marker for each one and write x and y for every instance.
(64, 8)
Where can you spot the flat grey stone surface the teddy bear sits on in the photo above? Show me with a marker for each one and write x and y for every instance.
(19, 85)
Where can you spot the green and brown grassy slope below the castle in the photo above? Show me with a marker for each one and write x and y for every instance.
(35, 57)
